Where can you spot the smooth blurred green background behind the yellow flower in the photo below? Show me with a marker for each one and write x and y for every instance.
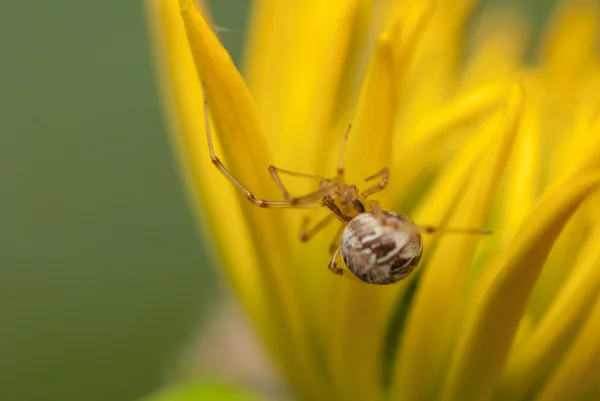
(102, 274)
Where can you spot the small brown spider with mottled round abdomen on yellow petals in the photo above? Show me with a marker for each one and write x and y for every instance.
(377, 246)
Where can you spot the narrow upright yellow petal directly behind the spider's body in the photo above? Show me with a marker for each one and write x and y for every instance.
(364, 316)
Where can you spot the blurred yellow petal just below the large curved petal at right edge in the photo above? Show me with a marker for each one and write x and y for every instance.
(531, 361)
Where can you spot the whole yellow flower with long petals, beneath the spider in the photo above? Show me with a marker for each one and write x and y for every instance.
(482, 143)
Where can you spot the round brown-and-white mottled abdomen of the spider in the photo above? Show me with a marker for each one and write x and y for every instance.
(381, 253)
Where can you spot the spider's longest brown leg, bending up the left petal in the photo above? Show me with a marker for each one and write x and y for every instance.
(304, 201)
